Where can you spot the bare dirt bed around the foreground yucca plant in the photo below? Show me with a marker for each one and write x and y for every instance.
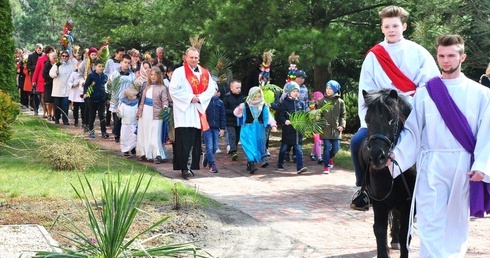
(221, 231)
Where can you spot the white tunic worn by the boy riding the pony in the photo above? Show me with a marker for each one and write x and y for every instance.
(412, 59)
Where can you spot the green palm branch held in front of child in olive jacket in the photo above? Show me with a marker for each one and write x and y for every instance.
(308, 122)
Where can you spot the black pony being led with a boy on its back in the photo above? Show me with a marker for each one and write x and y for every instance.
(385, 117)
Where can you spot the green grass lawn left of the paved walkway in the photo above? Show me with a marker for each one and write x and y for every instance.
(24, 173)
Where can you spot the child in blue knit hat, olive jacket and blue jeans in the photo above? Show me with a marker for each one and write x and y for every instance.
(334, 125)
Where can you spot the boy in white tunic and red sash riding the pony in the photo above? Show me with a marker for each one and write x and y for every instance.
(413, 62)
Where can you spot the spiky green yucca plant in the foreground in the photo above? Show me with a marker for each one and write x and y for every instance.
(109, 222)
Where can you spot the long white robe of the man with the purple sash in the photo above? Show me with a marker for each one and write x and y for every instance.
(442, 187)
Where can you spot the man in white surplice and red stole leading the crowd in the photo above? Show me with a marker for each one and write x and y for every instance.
(191, 89)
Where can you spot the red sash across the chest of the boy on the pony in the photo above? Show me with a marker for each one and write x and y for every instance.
(400, 80)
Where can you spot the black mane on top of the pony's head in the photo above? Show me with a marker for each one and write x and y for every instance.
(381, 100)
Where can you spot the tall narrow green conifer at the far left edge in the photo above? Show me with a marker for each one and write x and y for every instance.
(7, 64)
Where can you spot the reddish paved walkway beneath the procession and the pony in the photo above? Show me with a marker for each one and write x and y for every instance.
(311, 208)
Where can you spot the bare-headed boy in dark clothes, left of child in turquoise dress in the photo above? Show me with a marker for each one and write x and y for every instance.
(231, 101)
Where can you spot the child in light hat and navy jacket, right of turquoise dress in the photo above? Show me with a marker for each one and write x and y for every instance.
(290, 137)
